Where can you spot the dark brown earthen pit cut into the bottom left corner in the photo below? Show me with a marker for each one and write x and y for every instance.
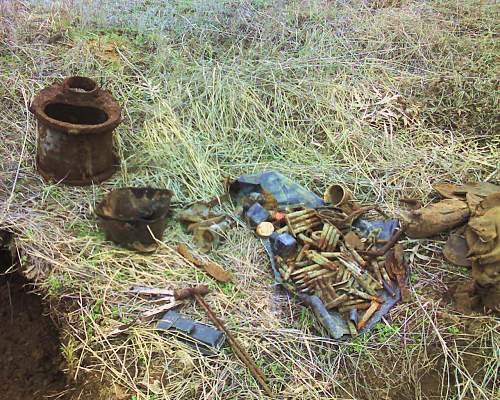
(32, 363)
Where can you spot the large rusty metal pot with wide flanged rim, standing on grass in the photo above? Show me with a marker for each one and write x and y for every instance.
(76, 120)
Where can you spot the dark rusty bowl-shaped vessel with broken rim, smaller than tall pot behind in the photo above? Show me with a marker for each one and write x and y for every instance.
(135, 217)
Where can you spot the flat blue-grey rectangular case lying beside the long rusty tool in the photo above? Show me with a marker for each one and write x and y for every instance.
(204, 338)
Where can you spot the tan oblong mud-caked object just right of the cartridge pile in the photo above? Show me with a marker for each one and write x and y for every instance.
(436, 218)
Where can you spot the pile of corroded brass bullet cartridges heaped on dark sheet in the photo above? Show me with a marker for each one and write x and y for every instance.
(345, 278)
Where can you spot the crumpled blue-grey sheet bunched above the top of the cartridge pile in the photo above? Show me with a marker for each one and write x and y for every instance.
(284, 191)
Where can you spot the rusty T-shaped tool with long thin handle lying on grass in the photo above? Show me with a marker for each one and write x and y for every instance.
(198, 292)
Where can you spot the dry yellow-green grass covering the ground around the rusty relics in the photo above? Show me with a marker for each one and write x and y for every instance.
(386, 99)
